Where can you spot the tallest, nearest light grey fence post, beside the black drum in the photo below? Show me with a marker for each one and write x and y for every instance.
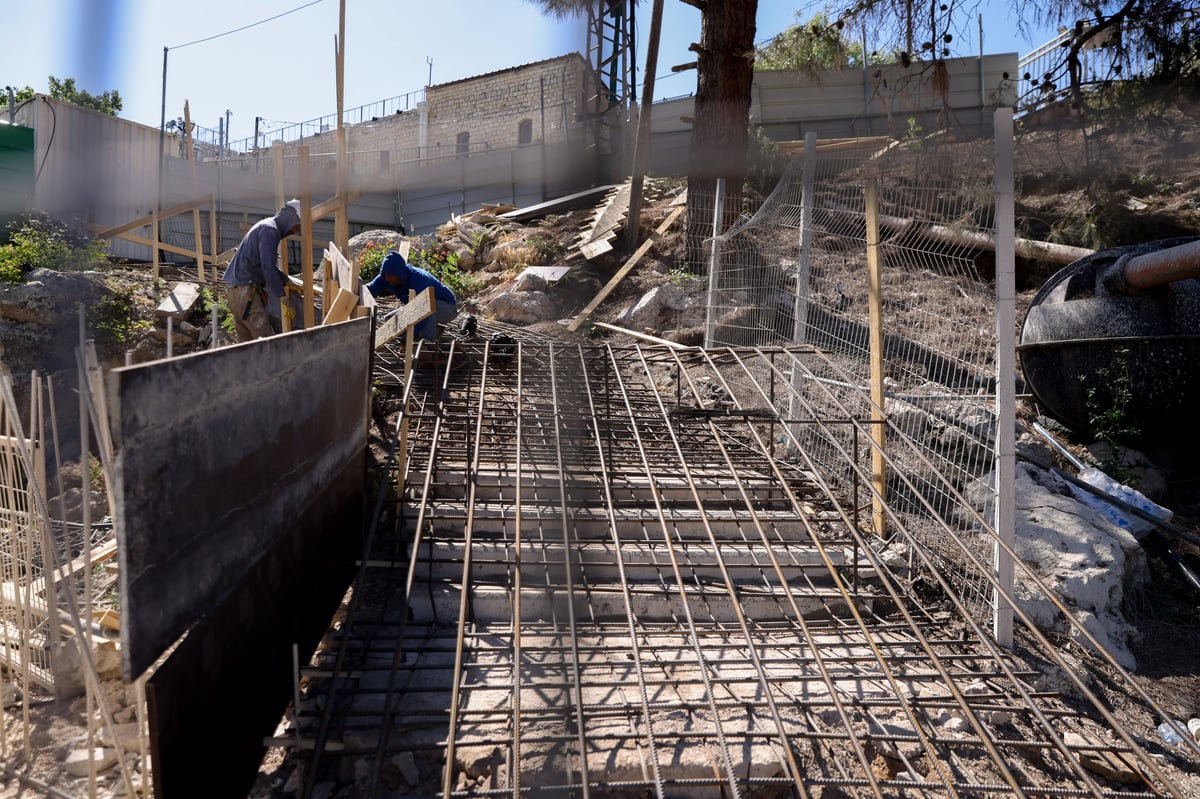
(1006, 368)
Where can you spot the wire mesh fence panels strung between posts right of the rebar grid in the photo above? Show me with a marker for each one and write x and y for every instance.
(797, 273)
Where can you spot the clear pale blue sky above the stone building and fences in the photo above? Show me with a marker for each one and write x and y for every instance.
(284, 70)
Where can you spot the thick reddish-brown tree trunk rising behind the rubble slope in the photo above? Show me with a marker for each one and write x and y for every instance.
(725, 76)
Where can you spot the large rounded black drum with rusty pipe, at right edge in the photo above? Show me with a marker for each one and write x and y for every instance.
(1112, 344)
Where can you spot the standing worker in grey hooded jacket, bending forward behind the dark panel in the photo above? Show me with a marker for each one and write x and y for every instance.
(254, 277)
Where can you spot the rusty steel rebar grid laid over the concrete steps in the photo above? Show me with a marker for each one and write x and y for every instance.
(599, 581)
